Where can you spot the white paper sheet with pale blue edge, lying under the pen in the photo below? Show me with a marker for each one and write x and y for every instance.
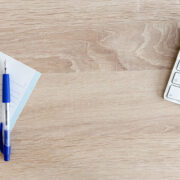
(22, 82)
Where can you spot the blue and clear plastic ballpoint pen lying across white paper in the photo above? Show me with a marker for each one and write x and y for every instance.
(6, 123)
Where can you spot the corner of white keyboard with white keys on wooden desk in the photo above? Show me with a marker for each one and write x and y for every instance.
(172, 92)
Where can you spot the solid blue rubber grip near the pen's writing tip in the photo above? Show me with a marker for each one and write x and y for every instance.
(6, 89)
